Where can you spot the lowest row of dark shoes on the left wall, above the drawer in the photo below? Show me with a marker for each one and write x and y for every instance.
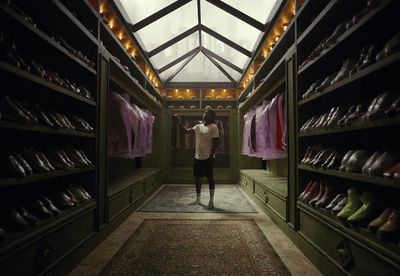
(21, 216)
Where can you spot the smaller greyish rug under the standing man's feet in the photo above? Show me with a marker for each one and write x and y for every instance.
(175, 198)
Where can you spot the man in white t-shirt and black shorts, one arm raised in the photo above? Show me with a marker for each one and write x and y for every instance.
(207, 140)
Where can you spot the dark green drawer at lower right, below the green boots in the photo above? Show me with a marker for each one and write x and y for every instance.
(344, 252)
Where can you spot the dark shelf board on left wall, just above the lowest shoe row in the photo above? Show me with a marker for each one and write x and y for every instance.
(14, 181)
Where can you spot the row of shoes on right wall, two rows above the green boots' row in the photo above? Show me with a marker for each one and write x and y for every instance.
(383, 105)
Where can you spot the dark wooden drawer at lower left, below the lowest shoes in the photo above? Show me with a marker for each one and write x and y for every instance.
(40, 255)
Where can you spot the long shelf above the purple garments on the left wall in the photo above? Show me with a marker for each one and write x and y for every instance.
(125, 81)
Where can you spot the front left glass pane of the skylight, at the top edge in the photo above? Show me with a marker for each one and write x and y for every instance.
(136, 11)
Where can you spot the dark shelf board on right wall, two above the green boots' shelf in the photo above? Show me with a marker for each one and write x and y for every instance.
(360, 126)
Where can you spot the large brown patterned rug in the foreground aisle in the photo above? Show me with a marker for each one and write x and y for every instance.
(196, 247)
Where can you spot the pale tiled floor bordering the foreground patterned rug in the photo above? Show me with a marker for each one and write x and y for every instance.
(296, 262)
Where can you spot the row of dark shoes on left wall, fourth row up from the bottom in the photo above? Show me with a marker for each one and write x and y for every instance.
(9, 54)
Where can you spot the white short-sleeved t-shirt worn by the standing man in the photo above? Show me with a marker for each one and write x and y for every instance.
(204, 135)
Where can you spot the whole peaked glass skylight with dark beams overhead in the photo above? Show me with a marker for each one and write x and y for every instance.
(222, 33)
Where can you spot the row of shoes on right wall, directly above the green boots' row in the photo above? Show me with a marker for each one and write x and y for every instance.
(377, 163)
